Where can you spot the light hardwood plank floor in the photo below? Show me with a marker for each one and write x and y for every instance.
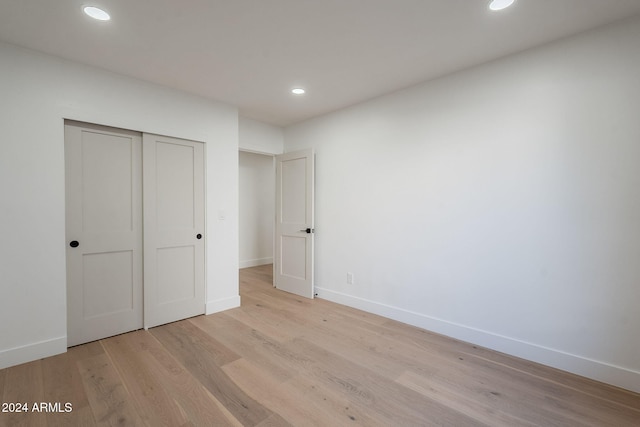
(281, 360)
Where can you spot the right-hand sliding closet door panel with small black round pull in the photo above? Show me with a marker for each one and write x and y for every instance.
(174, 269)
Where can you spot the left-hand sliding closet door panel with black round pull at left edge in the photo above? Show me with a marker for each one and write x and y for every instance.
(103, 231)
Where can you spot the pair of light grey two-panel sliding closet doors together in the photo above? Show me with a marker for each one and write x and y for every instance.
(111, 243)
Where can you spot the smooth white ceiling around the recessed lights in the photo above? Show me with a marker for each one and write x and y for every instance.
(250, 53)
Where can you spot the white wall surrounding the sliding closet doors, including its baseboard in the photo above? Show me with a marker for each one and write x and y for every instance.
(38, 92)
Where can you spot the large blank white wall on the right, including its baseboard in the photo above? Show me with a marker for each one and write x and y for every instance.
(500, 205)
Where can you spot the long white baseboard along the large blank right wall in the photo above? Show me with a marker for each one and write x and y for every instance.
(596, 370)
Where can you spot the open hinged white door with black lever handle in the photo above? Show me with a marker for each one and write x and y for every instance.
(293, 263)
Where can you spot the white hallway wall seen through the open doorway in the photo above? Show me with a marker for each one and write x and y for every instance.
(257, 209)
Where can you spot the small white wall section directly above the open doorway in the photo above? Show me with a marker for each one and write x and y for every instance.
(258, 137)
